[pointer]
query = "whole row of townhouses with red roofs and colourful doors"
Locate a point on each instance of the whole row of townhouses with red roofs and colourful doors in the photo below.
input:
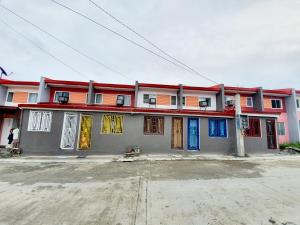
(67, 117)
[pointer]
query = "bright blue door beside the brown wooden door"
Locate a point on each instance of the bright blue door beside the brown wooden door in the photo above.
(193, 133)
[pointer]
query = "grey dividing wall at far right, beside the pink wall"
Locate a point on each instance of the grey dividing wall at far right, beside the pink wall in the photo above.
(293, 123)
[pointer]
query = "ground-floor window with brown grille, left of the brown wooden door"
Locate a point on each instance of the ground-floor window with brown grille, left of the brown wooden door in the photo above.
(154, 125)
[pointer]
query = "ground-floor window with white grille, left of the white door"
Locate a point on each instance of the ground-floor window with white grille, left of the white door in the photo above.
(40, 121)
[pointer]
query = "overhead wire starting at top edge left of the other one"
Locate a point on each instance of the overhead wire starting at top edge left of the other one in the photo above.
(124, 37)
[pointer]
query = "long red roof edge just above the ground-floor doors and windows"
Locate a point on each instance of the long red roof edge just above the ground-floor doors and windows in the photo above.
(127, 109)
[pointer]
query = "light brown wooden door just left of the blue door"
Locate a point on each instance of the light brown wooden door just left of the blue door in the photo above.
(177, 133)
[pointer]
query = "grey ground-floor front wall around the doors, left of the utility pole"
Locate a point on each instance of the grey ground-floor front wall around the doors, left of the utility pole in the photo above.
(49, 142)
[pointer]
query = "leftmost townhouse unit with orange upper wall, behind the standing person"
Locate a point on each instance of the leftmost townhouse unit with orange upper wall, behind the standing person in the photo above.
(13, 93)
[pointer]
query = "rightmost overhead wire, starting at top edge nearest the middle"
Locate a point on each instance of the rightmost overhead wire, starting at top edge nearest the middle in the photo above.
(150, 42)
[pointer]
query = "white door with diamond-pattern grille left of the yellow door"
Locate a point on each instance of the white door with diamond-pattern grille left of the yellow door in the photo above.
(69, 131)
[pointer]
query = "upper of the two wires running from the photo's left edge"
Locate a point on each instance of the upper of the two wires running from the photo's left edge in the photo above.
(63, 42)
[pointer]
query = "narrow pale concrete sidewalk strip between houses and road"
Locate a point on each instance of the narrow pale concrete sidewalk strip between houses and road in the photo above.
(150, 157)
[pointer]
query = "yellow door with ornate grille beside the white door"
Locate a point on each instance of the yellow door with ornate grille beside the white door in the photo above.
(84, 142)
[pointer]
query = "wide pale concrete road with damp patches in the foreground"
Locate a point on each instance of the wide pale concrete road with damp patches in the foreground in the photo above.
(151, 193)
